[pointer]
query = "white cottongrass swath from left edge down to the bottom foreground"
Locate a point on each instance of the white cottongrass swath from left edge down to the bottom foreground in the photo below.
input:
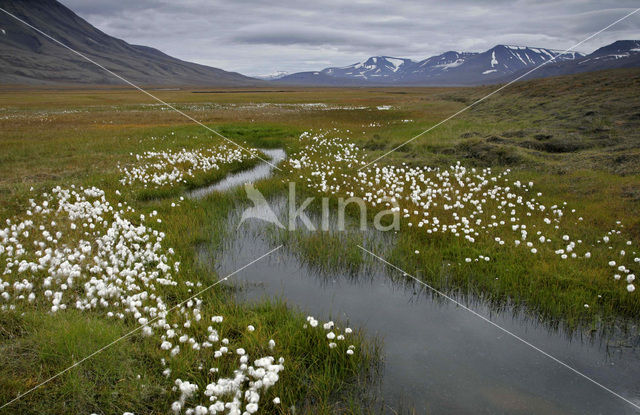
(77, 249)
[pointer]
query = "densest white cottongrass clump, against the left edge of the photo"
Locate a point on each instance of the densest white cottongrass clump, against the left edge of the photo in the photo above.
(76, 249)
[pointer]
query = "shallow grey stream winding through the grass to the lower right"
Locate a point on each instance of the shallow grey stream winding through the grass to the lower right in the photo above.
(438, 357)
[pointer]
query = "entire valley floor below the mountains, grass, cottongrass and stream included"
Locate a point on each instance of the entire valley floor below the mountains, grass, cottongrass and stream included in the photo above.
(524, 209)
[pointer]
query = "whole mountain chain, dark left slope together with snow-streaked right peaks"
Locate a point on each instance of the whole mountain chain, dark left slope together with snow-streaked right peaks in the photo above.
(27, 57)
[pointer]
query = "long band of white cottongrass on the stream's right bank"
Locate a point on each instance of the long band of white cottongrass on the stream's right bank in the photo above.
(466, 203)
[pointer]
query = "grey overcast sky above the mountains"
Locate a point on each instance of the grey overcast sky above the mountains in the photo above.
(260, 37)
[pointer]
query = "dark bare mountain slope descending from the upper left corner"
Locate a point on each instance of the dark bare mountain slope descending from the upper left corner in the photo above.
(28, 57)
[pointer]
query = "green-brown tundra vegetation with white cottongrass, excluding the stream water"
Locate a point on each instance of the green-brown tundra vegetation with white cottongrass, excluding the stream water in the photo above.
(530, 198)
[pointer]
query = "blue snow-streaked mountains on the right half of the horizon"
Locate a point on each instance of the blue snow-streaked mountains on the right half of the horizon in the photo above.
(501, 63)
